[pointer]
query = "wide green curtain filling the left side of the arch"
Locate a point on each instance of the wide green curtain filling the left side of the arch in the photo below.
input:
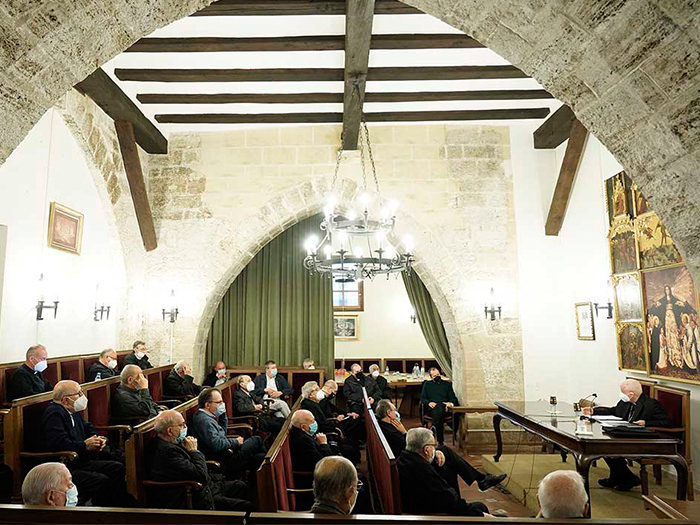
(275, 309)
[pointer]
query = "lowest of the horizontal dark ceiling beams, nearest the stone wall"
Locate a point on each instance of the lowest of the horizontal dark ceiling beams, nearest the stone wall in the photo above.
(391, 116)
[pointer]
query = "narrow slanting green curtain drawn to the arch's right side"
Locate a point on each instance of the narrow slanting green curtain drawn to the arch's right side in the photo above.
(429, 320)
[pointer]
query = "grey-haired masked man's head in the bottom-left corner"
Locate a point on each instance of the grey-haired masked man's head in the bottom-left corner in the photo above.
(49, 484)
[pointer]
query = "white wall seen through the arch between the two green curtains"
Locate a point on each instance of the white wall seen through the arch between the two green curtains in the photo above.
(386, 329)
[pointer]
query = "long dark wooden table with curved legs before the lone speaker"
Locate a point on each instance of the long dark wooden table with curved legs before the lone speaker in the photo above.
(534, 416)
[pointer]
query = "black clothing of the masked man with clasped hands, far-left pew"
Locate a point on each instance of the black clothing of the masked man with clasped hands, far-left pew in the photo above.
(96, 474)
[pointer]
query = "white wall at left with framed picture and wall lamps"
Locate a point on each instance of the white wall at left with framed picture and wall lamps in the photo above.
(48, 166)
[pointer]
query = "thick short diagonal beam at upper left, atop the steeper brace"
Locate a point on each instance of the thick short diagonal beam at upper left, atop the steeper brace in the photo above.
(113, 101)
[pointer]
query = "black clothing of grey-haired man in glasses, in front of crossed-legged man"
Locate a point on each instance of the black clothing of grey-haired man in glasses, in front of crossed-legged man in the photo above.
(424, 491)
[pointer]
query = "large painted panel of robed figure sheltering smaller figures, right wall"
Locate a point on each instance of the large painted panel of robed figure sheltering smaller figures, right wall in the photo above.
(670, 302)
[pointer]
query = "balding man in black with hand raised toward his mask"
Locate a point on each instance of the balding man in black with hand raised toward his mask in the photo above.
(173, 456)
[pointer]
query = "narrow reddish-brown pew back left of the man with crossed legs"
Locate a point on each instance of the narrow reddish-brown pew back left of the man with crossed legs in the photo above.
(383, 472)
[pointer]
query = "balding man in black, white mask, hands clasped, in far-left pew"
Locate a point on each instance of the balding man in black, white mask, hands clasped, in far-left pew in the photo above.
(98, 477)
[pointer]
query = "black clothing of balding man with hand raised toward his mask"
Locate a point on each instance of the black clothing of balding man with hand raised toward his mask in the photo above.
(172, 462)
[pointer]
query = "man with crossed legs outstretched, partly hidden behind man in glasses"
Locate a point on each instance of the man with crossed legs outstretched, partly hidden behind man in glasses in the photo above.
(449, 464)
